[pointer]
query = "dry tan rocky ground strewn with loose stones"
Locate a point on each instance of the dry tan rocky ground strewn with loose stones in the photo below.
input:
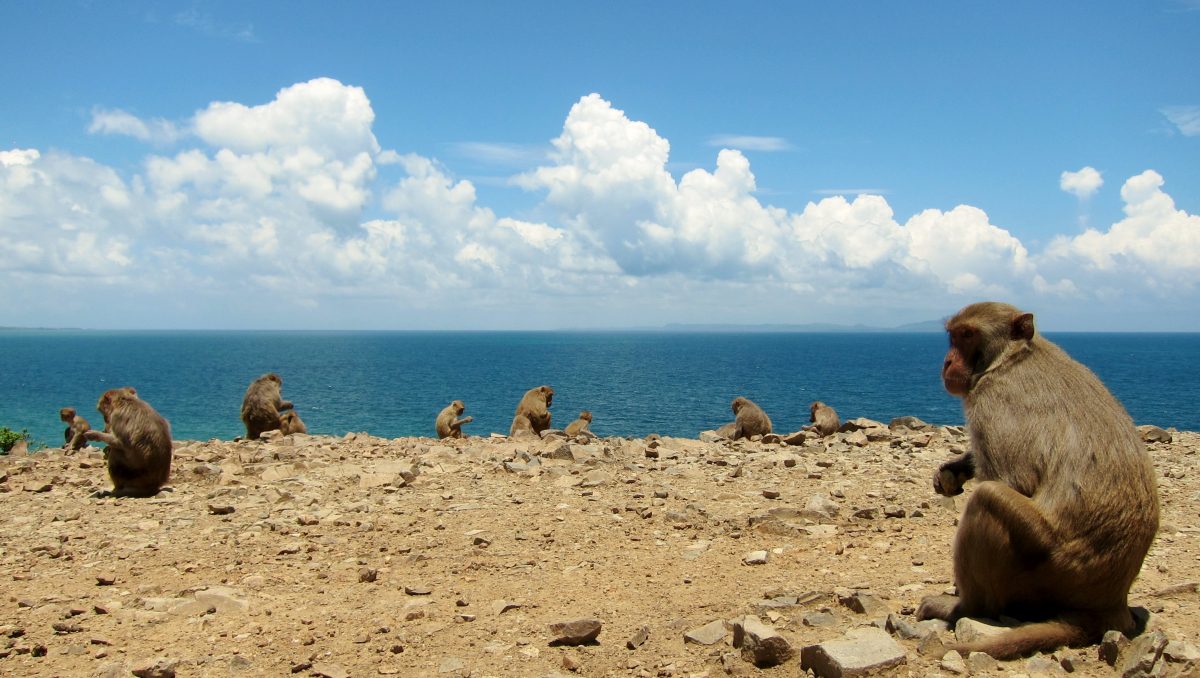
(361, 556)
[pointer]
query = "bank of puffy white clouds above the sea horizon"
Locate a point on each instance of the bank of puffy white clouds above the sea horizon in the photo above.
(274, 215)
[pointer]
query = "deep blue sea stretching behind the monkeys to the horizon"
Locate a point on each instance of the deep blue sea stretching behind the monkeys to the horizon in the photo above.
(394, 385)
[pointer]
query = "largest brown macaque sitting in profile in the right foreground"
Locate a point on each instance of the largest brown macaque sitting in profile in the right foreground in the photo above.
(1066, 506)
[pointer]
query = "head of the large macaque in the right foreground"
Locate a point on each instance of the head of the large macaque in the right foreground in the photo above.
(982, 335)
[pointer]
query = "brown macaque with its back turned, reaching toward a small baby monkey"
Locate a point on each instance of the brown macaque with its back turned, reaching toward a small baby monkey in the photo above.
(139, 441)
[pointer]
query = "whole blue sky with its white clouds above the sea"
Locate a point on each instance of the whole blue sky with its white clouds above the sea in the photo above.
(568, 165)
